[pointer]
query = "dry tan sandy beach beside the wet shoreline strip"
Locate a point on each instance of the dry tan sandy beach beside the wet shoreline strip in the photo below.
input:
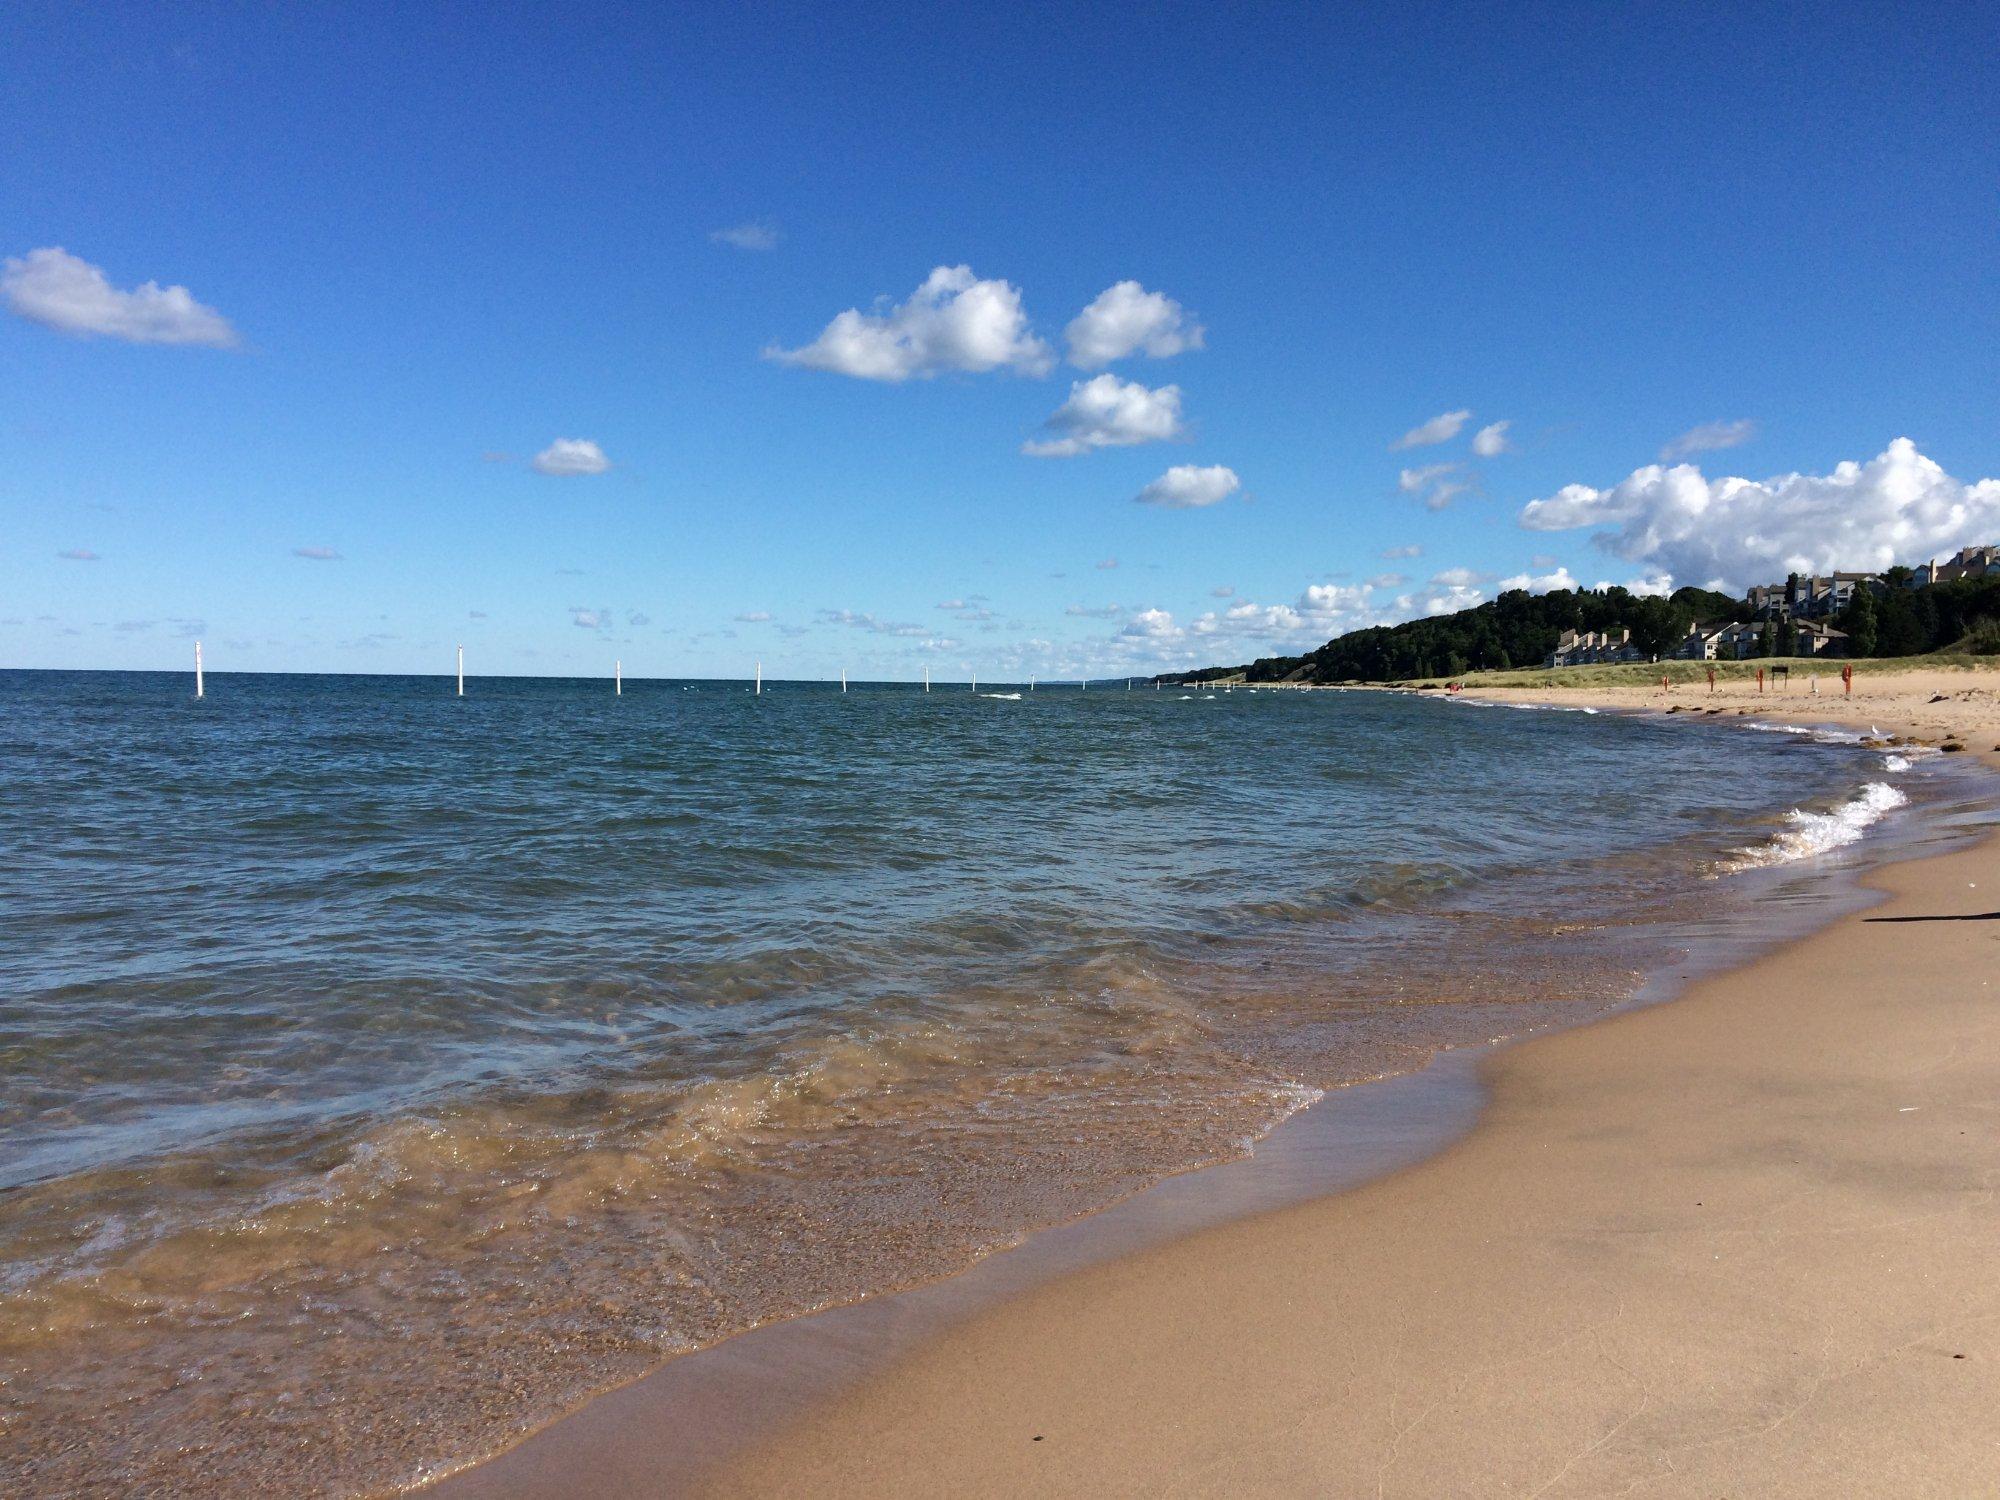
(1733, 1245)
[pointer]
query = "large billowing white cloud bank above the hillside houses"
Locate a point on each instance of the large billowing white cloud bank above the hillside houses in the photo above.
(1899, 507)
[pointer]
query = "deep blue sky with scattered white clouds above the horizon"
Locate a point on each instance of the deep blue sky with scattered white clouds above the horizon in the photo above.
(1009, 341)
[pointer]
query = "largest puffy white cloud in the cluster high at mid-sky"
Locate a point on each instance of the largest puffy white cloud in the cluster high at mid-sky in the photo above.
(951, 323)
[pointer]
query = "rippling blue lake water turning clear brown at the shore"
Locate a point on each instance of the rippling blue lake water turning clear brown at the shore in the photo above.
(387, 1071)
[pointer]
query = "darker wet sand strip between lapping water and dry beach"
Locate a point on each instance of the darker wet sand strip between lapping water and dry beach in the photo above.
(663, 1431)
